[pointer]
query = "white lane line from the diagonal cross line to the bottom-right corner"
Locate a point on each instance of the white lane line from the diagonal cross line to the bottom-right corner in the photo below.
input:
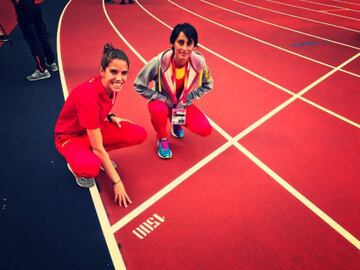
(305, 201)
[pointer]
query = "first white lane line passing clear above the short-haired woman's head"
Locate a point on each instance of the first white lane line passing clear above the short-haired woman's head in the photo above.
(257, 39)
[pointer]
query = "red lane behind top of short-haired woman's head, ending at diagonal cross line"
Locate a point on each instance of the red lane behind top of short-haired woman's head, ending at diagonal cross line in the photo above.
(246, 52)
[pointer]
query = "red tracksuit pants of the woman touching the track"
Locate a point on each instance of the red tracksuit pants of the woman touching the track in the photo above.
(77, 150)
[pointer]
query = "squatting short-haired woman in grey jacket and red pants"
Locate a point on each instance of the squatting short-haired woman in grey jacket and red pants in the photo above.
(180, 77)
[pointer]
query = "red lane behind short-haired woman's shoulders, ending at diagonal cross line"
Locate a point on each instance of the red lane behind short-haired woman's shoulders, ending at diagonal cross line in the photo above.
(246, 97)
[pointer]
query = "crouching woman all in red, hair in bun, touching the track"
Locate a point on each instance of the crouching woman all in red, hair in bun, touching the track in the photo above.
(86, 129)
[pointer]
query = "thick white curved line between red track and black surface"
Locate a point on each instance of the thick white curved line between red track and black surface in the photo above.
(109, 237)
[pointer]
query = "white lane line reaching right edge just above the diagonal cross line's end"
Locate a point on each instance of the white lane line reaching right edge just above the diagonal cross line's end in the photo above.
(279, 26)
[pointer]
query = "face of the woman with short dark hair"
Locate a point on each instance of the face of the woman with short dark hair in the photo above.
(183, 48)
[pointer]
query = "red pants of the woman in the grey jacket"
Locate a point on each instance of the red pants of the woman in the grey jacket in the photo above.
(195, 120)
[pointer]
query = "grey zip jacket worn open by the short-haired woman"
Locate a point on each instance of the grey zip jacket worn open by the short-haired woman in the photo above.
(159, 70)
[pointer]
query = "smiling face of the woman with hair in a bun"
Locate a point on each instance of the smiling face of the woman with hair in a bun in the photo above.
(114, 76)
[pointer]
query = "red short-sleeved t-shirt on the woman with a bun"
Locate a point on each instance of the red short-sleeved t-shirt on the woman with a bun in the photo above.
(86, 108)
